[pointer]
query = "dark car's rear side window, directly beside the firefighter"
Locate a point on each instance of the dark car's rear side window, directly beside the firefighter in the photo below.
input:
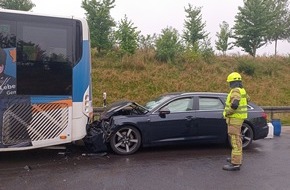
(207, 103)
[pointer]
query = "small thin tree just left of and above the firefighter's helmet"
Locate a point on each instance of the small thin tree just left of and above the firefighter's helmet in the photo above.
(222, 43)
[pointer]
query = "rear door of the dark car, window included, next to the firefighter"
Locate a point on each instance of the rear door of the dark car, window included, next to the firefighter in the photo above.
(209, 119)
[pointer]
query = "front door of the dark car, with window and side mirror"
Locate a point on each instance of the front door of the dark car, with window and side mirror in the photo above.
(175, 125)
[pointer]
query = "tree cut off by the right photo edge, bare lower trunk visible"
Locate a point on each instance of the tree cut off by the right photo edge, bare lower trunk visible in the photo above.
(280, 24)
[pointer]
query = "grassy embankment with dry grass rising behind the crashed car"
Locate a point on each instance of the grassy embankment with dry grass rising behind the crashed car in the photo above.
(141, 77)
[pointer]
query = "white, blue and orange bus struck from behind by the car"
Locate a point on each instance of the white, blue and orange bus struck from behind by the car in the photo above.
(45, 80)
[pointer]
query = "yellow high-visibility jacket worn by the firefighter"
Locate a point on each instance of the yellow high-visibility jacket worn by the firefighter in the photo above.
(241, 112)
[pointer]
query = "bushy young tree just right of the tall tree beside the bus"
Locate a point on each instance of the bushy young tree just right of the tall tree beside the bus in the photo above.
(127, 36)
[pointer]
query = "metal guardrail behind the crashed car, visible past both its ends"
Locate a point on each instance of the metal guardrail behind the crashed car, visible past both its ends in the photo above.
(268, 109)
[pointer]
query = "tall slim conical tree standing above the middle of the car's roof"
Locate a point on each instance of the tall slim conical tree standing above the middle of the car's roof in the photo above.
(194, 27)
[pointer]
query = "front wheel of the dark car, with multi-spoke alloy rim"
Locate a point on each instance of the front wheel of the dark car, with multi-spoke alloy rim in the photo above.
(126, 140)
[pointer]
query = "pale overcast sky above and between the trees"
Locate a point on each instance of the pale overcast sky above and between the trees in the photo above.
(151, 16)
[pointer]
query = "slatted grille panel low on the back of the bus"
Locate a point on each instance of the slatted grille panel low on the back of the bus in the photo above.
(25, 122)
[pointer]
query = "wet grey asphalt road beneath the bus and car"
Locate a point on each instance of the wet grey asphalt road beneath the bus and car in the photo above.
(266, 166)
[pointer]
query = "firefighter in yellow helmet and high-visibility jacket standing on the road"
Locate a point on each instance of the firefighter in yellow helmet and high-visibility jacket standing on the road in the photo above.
(235, 113)
